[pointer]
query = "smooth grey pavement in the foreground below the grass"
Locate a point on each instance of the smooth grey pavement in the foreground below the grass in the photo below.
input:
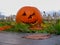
(7, 38)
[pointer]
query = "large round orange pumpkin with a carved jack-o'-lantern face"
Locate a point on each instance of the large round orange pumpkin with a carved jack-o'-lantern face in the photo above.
(29, 15)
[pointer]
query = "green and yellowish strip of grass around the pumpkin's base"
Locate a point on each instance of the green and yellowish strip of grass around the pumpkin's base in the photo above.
(51, 28)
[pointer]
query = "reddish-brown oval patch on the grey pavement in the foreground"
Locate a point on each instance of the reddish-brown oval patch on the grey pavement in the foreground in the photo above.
(37, 36)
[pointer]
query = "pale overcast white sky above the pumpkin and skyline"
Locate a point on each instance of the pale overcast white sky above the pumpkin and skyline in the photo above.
(9, 7)
